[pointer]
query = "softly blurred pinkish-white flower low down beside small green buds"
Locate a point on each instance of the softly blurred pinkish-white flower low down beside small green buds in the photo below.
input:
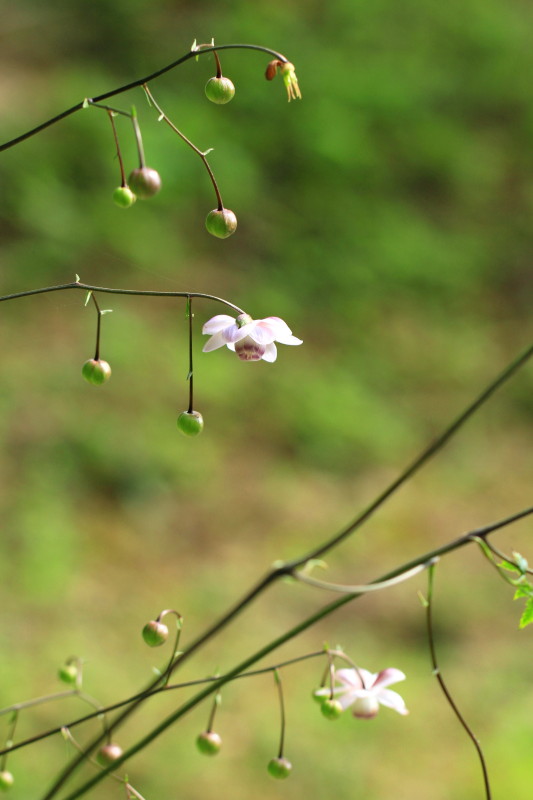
(366, 691)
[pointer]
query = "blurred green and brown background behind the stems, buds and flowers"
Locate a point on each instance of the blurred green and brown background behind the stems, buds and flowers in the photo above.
(387, 218)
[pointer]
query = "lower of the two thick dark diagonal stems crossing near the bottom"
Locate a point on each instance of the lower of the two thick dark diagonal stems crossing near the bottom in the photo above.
(264, 651)
